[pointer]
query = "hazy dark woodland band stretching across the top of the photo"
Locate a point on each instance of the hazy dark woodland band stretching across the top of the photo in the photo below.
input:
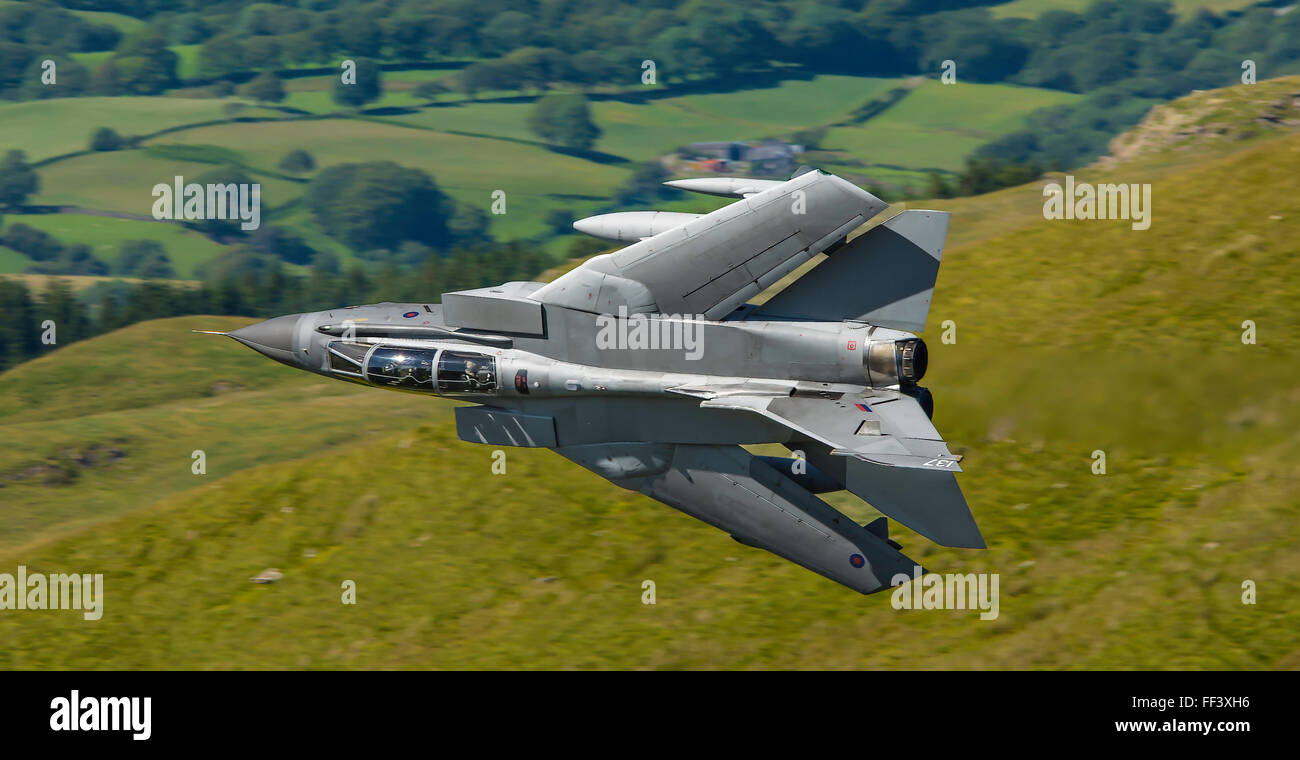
(544, 44)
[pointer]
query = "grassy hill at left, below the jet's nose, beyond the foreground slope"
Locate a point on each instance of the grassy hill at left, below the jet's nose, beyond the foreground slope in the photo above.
(109, 425)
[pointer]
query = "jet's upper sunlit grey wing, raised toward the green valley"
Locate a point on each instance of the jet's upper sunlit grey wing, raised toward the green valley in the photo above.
(714, 264)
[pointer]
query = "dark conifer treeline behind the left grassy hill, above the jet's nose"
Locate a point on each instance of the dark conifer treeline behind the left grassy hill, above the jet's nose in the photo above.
(258, 293)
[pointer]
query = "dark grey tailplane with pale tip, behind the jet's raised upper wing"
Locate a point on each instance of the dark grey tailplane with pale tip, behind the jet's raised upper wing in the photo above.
(885, 277)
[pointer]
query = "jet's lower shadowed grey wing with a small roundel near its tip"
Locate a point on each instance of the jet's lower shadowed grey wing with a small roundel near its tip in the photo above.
(759, 506)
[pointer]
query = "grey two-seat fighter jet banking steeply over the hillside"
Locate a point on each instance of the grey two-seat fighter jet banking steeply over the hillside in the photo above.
(652, 368)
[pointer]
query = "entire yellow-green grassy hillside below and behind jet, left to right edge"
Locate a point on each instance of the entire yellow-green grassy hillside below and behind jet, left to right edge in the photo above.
(1072, 337)
